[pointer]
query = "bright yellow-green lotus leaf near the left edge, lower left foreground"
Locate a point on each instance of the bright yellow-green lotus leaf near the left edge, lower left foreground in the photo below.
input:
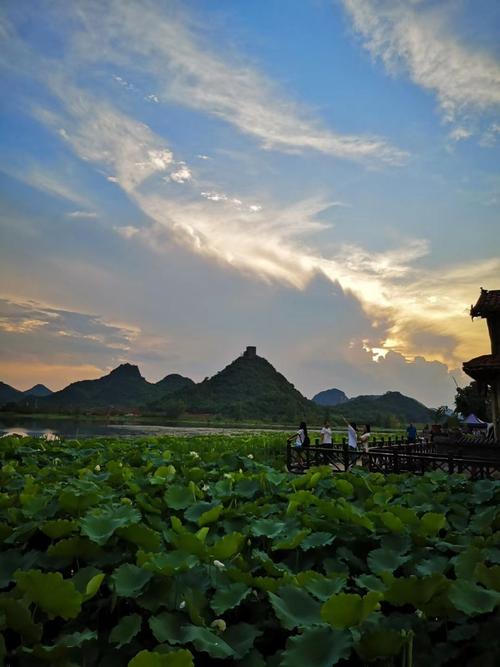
(53, 594)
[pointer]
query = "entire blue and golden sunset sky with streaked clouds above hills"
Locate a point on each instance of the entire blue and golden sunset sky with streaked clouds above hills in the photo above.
(319, 178)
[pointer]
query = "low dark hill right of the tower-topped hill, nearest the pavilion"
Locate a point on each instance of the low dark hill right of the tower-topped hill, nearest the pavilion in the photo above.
(379, 409)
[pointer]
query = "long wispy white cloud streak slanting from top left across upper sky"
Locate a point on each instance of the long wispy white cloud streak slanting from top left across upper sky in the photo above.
(194, 74)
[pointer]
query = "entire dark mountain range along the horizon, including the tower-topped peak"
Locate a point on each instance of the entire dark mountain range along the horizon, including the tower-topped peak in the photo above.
(249, 388)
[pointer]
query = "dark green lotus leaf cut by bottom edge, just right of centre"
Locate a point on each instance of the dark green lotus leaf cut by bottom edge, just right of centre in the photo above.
(322, 647)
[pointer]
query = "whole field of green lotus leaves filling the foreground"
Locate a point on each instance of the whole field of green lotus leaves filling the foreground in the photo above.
(176, 551)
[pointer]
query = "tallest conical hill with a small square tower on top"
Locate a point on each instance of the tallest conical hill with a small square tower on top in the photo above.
(249, 388)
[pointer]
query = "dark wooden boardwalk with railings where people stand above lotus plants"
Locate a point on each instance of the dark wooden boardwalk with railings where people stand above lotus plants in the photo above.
(396, 456)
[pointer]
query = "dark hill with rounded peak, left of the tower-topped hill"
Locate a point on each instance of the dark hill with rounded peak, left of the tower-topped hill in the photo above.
(124, 387)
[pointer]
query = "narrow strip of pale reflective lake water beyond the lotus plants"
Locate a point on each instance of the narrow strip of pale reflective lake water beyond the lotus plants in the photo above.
(68, 428)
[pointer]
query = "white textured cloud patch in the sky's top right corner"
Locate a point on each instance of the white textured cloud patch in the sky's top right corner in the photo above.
(416, 37)
